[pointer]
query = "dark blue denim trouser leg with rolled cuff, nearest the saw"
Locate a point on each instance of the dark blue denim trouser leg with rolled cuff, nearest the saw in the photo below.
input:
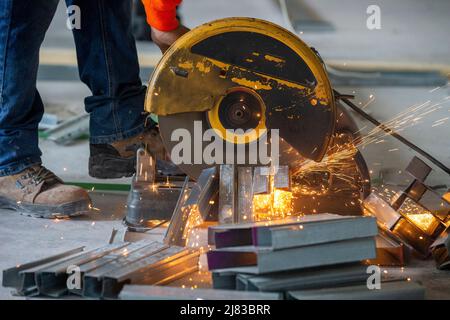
(108, 65)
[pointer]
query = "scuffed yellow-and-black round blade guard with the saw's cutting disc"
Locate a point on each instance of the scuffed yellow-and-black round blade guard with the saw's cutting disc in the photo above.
(201, 69)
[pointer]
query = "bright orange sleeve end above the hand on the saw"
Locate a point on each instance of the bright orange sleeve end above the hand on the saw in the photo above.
(162, 14)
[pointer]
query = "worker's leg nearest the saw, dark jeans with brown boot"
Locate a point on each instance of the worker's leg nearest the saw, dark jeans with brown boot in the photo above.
(108, 64)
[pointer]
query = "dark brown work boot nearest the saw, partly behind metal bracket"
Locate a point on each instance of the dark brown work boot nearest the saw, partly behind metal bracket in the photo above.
(118, 159)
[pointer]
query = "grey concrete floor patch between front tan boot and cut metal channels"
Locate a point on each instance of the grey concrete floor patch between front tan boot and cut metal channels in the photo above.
(25, 239)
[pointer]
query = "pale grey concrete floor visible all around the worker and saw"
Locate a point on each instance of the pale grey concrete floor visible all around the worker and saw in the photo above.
(406, 38)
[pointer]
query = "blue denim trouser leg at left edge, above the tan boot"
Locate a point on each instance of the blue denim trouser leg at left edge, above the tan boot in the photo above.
(23, 24)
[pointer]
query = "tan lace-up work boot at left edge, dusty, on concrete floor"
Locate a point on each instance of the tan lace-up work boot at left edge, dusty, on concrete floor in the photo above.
(38, 192)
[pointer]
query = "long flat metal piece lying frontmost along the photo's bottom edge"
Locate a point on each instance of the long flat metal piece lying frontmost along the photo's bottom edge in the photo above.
(131, 292)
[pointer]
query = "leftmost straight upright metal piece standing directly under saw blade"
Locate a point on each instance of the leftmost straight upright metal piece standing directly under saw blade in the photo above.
(227, 194)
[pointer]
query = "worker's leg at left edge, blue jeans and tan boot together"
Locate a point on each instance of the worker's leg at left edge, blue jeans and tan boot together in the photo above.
(25, 185)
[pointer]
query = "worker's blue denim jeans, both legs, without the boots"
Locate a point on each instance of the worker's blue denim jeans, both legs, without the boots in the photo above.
(107, 63)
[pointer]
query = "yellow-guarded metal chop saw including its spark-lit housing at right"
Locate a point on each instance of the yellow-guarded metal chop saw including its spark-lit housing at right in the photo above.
(238, 74)
